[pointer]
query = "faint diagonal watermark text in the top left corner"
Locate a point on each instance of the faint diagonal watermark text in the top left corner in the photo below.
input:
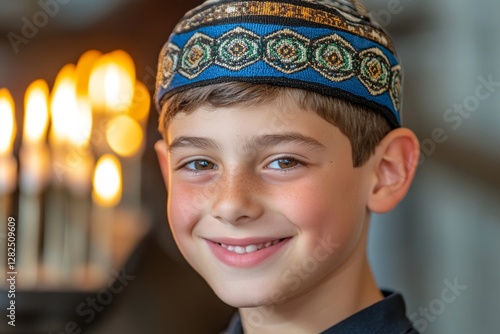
(31, 27)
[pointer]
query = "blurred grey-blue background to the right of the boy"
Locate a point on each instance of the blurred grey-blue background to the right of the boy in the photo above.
(441, 245)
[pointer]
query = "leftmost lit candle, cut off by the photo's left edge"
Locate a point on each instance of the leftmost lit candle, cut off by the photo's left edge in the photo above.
(8, 167)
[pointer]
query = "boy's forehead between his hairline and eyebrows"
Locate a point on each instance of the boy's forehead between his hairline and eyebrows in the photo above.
(262, 125)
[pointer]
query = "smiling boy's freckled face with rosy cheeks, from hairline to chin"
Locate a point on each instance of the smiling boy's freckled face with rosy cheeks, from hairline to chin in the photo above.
(264, 201)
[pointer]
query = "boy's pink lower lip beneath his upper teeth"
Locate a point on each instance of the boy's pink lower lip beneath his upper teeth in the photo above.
(245, 260)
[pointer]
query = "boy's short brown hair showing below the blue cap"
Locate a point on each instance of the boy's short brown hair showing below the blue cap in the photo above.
(363, 127)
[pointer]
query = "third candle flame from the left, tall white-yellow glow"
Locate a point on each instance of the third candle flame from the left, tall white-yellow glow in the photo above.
(63, 104)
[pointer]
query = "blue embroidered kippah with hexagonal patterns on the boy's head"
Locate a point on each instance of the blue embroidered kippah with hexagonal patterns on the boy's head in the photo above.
(330, 47)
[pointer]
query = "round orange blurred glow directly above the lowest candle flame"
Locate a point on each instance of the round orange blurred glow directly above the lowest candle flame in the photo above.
(124, 135)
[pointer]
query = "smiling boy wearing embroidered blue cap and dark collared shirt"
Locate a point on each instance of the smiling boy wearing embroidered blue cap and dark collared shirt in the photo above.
(282, 134)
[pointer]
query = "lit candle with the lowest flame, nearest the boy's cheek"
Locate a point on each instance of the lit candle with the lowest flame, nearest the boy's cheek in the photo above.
(106, 194)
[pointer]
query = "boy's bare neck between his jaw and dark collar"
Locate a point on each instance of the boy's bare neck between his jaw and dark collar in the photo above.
(350, 289)
